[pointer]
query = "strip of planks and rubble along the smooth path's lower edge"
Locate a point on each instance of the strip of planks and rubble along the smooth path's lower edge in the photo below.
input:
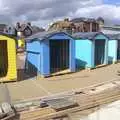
(64, 104)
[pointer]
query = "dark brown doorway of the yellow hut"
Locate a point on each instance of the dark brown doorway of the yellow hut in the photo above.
(3, 58)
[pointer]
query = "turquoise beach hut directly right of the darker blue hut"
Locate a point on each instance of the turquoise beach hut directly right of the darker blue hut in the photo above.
(91, 49)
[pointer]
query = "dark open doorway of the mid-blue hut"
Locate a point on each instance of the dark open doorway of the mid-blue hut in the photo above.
(59, 55)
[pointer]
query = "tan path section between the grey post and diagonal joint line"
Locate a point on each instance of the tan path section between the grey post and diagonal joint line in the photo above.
(24, 90)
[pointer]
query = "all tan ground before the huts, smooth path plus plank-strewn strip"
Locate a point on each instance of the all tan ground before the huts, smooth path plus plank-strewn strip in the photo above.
(65, 97)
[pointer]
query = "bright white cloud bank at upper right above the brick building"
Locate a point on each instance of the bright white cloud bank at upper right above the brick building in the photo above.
(108, 12)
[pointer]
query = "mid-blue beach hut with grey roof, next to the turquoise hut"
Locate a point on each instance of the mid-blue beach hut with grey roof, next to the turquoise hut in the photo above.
(49, 53)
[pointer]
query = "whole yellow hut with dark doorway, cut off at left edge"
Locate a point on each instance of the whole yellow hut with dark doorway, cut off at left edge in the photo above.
(8, 69)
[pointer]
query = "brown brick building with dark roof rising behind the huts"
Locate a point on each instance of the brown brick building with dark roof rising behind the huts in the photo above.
(78, 25)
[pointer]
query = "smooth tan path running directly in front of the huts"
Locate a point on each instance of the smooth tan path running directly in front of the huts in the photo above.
(31, 88)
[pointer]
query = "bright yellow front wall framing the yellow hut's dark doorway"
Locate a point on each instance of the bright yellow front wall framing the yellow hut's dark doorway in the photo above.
(12, 69)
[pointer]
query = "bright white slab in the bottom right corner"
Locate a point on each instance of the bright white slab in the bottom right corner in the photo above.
(107, 112)
